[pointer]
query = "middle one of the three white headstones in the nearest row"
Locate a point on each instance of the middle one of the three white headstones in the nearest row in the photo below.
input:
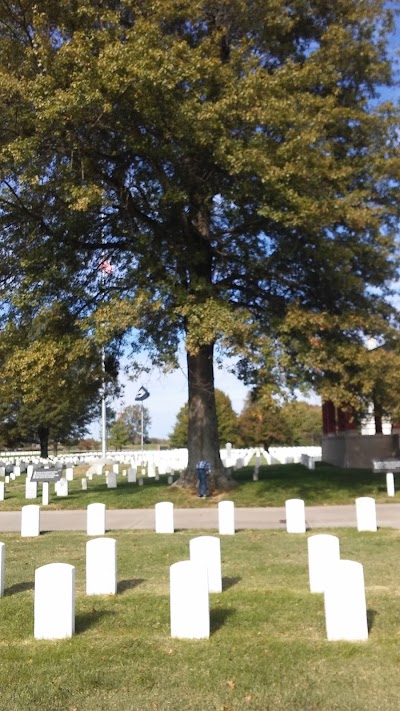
(189, 601)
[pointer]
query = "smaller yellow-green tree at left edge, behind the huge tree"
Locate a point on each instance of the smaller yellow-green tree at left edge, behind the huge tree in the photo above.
(51, 376)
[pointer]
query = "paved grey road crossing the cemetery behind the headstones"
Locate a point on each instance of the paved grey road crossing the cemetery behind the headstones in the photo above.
(317, 517)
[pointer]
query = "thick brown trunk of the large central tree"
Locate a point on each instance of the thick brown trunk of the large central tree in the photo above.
(203, 440)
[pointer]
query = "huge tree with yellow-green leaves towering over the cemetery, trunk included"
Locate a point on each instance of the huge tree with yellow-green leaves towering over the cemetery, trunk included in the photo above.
(229, 156)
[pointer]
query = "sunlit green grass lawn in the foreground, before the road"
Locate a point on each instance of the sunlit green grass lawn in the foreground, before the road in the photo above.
(267, 650)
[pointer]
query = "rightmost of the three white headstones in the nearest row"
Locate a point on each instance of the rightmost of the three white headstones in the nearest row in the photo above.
(345, 605)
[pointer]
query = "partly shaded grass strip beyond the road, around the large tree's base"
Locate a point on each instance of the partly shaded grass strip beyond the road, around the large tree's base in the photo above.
(324, 485)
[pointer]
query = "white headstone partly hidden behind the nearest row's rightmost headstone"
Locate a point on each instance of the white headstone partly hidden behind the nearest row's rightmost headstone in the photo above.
(323, 552)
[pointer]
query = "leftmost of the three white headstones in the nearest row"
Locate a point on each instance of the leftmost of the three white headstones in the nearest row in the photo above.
(54, 601)
